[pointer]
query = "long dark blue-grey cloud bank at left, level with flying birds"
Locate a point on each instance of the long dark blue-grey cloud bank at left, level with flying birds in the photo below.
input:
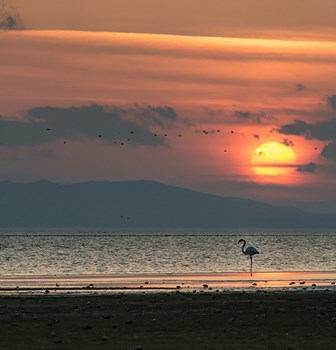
(42, 125)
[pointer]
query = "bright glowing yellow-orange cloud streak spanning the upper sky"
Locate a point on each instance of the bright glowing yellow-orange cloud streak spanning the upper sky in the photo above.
(174, 46)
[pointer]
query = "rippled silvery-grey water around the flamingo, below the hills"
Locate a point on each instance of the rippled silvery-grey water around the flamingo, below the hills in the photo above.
(63, 252)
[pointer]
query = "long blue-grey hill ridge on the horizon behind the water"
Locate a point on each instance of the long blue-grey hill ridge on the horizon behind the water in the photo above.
(139, 204)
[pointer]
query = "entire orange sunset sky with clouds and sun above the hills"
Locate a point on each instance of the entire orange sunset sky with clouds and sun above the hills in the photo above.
(235, 98)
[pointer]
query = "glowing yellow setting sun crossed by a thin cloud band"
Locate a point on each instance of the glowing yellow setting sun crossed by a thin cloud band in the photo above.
(273, 159)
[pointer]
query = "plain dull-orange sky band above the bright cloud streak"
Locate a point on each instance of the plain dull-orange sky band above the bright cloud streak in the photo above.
(261, 18)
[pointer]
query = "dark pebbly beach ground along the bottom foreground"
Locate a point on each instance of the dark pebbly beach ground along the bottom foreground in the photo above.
(169, 321)
